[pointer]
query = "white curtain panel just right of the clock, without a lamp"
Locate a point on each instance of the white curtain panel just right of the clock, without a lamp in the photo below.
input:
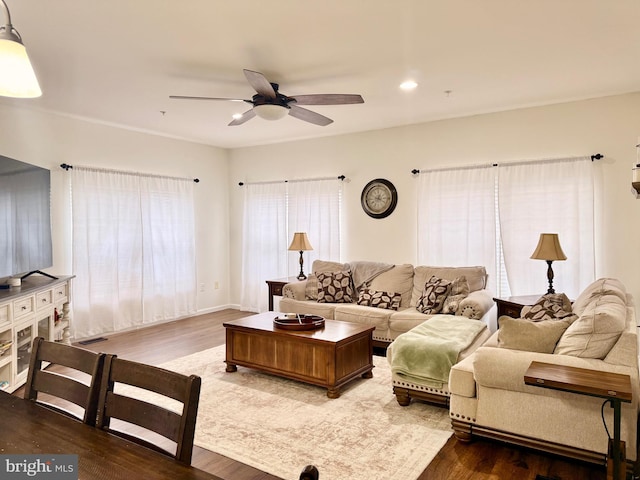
(457, 219)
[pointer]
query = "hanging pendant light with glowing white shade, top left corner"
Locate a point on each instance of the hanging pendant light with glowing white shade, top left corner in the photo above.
(17, 78)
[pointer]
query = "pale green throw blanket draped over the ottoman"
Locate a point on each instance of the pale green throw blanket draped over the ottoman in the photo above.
(428, 351)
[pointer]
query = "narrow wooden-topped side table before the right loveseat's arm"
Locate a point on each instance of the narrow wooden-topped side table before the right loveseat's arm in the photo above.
(613, 387)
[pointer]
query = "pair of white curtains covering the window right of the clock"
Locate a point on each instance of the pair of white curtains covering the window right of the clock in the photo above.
(493, 216)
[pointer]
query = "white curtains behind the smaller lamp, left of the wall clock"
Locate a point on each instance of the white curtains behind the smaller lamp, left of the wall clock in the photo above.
(273, 212)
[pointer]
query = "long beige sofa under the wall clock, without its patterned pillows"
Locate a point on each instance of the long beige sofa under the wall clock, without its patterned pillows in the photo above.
(406, 280)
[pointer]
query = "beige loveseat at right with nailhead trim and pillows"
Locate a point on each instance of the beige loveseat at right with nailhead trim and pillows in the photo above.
(489, 397)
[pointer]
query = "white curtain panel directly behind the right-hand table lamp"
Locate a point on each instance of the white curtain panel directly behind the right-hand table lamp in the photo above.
(548, 197)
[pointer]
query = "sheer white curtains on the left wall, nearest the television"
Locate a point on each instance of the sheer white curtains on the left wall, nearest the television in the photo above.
(133, 250)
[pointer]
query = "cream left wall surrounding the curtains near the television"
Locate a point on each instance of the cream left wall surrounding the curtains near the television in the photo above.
(48, 140)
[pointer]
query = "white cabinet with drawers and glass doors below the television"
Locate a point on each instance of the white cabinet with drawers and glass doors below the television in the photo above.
(38, 308)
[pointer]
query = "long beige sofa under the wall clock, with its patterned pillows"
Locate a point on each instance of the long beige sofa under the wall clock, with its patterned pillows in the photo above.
(387, 296)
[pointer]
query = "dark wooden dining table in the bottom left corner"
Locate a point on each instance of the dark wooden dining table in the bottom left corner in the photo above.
(27, 428)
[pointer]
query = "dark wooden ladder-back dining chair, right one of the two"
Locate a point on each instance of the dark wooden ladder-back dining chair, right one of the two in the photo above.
(117, 401)
